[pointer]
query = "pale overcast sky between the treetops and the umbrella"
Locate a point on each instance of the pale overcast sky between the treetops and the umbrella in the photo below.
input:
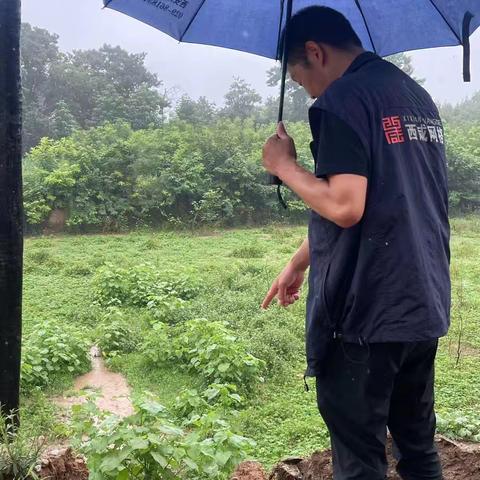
(203, 70)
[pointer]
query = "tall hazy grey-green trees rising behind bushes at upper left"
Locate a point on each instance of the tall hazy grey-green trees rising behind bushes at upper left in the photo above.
(82, 89)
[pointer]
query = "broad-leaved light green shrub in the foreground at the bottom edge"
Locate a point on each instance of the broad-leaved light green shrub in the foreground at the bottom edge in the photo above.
(150, 445)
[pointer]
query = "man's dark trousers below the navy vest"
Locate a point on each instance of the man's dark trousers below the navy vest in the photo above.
(366, 389)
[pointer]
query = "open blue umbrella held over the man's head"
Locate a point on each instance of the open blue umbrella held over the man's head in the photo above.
(384, 26)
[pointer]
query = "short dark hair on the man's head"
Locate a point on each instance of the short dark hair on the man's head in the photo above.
(320, 25)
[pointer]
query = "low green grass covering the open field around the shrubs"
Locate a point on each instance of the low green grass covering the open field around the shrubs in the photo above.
(234, 269)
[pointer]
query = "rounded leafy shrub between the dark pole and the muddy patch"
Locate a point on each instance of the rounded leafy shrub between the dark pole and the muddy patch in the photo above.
(51, 350)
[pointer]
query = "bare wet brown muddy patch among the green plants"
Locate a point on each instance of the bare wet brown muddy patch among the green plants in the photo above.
(112, 388)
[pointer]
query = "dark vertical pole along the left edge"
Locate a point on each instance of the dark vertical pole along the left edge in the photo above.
(11, 209)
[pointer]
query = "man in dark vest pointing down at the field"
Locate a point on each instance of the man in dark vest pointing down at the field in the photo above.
(377, 247)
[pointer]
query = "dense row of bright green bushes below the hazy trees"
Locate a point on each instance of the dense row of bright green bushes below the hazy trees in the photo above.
(112, 178)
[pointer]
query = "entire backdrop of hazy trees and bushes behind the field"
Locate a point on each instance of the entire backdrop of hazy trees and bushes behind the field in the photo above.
(107, 152)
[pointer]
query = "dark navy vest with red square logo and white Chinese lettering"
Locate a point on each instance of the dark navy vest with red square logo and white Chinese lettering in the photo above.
(387, 278)
